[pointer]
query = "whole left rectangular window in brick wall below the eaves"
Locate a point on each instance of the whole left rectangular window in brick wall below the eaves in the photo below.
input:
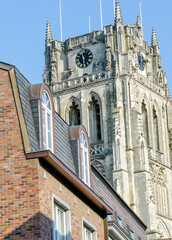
(61, 220)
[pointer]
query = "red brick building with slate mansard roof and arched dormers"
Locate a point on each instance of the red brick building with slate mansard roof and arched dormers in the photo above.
(48, 189)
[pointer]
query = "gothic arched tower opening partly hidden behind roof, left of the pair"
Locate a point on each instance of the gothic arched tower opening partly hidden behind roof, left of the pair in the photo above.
(74, 114)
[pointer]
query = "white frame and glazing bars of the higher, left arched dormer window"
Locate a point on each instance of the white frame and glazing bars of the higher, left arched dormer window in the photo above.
(47, 112)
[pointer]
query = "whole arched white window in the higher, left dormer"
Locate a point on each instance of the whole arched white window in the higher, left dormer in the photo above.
(47, 122)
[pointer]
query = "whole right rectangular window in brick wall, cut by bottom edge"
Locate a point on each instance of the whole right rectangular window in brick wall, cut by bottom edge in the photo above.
(89, 231)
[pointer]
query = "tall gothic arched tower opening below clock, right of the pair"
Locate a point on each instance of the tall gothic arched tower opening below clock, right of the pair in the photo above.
(95, 120)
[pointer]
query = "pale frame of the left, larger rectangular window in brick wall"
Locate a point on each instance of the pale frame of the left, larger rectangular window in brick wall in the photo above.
(56, 201)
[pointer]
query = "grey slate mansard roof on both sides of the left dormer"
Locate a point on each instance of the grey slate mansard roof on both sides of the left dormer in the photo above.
(62, 143)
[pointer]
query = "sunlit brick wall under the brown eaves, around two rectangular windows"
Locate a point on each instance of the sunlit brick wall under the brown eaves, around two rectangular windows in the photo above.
(52, 184)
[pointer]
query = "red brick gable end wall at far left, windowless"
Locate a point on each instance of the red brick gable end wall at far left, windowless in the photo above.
(19, 206)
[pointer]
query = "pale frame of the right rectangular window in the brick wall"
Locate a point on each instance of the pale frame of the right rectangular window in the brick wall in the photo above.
(86, 225)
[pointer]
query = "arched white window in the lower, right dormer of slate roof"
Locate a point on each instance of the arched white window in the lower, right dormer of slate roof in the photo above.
(84, 159)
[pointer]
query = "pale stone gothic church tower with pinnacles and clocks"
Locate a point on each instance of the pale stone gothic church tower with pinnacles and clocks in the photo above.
(113, 83)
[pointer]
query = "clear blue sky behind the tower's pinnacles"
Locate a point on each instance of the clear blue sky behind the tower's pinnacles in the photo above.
(23, 27)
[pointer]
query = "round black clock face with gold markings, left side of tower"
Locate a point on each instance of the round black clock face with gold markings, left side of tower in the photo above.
(84, 58)
